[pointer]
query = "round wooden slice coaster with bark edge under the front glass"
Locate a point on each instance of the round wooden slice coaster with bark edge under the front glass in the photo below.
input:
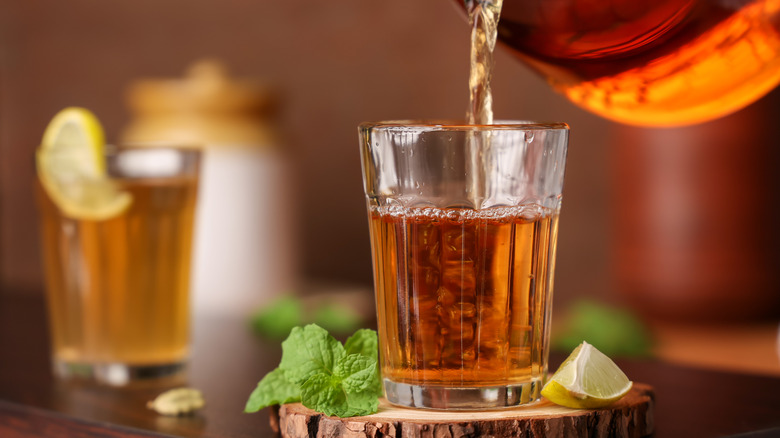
(631, 416)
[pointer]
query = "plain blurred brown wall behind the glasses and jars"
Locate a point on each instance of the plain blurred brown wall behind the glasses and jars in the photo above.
(337, 63)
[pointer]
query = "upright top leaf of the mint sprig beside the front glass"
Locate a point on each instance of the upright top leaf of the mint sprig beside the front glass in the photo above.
(308, 351)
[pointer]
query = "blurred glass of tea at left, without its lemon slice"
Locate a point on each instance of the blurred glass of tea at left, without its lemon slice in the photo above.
(118, 288)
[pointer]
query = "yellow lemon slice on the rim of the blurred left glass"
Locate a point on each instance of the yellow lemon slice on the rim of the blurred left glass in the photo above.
(72, 167)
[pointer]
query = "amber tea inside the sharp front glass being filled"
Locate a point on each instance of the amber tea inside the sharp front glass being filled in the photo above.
(460, 291)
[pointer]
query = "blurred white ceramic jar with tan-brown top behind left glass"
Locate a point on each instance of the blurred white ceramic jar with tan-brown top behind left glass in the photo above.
(244, 246)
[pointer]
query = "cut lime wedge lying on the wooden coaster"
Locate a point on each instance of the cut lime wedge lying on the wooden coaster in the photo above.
(587, 379)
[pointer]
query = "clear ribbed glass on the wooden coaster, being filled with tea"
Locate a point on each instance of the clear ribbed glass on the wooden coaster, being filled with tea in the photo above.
(463, 223)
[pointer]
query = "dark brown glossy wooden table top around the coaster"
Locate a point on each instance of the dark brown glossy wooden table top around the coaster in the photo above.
(228, 360)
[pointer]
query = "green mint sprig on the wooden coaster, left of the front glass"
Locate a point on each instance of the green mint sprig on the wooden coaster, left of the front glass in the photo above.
(324, 375)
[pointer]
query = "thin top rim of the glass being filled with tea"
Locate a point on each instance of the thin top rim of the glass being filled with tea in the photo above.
(461, 125)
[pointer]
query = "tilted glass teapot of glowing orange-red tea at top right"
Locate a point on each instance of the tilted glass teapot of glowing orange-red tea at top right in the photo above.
(649, 62)
